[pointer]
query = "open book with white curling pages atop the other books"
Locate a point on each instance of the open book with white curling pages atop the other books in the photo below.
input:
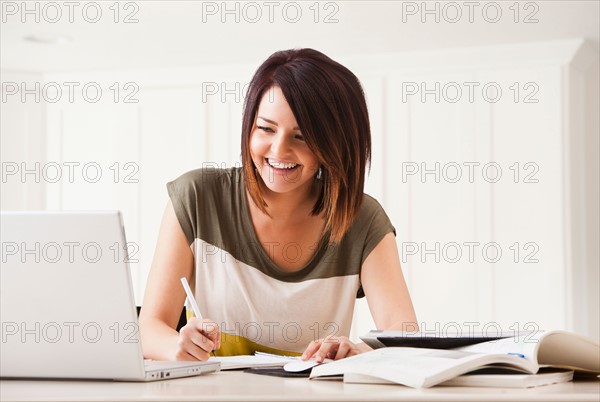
(425, 367)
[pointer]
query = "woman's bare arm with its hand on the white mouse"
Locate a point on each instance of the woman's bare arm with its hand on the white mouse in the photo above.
(388, 299)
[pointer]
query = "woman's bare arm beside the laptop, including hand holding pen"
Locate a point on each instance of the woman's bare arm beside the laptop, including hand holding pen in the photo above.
(164, 298)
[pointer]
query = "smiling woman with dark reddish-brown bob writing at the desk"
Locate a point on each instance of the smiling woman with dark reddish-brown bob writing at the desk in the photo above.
(278, 250)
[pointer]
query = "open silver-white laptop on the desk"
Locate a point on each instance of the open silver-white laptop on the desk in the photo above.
(67, 305)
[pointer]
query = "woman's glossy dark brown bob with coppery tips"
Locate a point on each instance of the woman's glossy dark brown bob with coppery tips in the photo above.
(329, 105)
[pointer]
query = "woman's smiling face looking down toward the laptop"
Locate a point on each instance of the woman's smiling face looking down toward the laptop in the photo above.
(277, 146)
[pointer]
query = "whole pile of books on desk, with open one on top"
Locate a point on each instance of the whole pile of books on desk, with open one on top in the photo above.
(423, 360)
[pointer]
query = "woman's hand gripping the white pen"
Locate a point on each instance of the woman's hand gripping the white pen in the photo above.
(197, 339)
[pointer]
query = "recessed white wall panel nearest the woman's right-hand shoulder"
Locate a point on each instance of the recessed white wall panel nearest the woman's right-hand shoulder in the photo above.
(440, 135)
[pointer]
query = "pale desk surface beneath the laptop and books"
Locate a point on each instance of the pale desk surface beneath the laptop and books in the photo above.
(240, 386)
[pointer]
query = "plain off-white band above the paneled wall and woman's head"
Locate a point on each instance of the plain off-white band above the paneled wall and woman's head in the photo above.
(165, 34)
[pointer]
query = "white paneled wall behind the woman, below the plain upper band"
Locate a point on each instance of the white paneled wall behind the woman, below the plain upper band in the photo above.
(180, 123)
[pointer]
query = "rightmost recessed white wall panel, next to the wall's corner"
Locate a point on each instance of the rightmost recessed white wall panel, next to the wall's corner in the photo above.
(524, 215)
